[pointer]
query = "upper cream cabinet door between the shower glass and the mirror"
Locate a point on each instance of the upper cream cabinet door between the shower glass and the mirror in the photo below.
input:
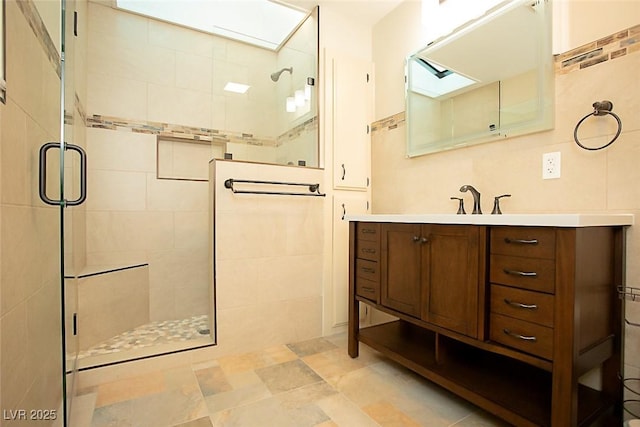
(351, 116)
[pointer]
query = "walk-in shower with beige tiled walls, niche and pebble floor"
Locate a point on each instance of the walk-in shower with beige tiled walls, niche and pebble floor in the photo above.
(143, 282)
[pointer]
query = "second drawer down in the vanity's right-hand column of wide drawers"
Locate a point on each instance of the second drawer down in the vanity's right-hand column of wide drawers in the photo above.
(528, 273)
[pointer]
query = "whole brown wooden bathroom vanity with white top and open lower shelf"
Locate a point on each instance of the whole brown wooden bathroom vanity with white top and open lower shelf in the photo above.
(506, 311)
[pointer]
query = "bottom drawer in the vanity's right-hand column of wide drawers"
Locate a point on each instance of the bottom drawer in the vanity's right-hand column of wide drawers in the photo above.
(525, 336)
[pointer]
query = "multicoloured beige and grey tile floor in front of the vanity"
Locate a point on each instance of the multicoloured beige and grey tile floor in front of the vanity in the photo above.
(311, 383)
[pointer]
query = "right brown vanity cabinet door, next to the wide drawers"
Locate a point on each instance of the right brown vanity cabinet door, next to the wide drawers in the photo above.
(450, 260)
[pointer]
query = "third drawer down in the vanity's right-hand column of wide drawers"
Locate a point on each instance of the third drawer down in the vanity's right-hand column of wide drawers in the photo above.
(533, 307)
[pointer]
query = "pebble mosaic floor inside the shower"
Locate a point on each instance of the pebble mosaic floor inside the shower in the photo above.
(151, 334)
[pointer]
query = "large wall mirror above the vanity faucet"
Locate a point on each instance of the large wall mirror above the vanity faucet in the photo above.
(490, 79)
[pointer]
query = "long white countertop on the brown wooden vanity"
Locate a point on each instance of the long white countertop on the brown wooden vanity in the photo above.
(542, 220)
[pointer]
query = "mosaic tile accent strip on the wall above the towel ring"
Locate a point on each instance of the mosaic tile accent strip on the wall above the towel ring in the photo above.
(608, 48)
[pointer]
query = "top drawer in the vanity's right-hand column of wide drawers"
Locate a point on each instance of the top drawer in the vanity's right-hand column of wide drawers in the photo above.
(534, 242)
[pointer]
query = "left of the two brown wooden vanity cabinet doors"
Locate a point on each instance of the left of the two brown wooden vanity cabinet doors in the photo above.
(400, 272)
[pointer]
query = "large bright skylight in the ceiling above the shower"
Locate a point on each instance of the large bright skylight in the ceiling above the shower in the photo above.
(262, 23)
